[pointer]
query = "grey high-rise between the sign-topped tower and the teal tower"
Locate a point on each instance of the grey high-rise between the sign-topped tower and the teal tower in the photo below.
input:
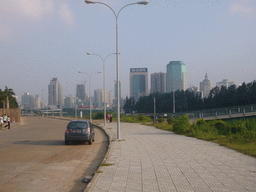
(158, 82)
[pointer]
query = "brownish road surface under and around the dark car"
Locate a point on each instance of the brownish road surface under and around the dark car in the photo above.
(33, 157)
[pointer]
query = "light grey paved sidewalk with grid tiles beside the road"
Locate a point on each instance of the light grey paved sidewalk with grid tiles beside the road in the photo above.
(149, 159)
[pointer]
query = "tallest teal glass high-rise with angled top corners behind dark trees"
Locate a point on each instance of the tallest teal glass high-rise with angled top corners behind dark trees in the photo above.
(176, 76)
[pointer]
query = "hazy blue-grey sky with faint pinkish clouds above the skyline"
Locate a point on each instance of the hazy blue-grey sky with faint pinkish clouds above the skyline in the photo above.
(45, 39)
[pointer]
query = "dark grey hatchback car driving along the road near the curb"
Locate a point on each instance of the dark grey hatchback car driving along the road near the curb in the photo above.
(79, 131)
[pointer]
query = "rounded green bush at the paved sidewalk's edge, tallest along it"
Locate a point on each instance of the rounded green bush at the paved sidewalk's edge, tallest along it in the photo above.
(182, 125)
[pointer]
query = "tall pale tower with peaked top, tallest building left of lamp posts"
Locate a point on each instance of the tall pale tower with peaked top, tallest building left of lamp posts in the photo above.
(55, 93)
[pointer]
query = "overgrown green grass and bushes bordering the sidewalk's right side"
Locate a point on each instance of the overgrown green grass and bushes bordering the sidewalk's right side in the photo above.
(238, 135)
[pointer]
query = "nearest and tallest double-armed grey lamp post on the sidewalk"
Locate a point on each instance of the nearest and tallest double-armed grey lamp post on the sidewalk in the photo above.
(117, 60)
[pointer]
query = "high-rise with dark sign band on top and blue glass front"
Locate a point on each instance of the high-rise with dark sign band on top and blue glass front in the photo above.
(138, 82)
